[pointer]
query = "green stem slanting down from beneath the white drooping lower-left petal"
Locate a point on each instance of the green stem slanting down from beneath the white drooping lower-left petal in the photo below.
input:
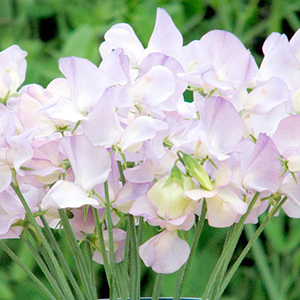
(77, 254)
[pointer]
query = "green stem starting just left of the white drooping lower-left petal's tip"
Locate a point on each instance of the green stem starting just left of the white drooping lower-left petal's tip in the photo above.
(55, 246)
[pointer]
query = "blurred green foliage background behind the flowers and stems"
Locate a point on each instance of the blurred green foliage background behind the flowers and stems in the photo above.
(50, 29)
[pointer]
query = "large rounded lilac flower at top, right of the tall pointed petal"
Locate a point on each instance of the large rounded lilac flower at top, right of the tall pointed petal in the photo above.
(220, 61)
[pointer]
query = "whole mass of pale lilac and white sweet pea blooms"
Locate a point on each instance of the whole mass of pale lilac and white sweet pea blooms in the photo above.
(127, 123)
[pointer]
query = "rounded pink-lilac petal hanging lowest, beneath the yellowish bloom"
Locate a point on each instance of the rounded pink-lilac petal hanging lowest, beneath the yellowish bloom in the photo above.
(165, 253)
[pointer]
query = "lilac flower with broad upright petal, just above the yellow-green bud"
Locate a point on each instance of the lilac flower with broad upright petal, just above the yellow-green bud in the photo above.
(218, 131)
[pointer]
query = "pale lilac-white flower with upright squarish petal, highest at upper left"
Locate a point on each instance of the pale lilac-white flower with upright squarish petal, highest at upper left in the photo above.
(76, 95)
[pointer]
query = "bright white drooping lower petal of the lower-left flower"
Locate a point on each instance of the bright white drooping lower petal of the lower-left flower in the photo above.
(66, 194)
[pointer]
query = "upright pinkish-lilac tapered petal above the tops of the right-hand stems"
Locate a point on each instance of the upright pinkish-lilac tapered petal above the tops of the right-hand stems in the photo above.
(263, 172)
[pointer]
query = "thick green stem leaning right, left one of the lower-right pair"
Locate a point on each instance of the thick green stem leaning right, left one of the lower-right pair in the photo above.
(227, 253)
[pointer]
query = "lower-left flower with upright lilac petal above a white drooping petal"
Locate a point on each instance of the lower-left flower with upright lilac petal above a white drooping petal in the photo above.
(90, 165)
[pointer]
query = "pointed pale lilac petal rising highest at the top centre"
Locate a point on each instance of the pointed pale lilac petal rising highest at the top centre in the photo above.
(166, 38)
